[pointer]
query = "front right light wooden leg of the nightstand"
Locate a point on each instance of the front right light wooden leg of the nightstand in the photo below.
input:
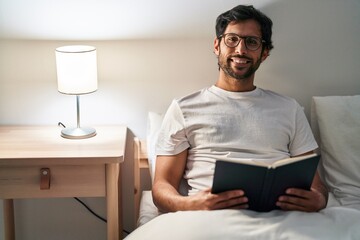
(113, 199)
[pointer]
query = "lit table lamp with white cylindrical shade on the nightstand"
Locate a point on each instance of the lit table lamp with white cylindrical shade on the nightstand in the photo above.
(76, 75)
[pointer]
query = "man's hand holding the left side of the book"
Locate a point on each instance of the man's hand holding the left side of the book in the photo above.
(205, 200)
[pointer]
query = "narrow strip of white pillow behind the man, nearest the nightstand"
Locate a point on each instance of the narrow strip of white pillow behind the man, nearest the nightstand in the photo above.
(153, 127)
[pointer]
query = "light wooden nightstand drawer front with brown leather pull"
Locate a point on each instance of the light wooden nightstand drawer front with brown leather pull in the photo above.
(64, 181)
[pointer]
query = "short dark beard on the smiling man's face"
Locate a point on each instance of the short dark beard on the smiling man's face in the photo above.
(225, 64)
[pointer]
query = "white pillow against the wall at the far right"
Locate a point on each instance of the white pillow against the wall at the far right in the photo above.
(336, 125)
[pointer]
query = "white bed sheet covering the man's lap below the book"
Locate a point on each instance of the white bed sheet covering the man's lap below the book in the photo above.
(332, 223)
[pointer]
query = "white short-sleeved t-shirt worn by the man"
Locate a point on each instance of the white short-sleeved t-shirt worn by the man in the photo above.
(213, 123)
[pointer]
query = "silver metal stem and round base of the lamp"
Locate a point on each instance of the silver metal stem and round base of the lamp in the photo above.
(78, 132)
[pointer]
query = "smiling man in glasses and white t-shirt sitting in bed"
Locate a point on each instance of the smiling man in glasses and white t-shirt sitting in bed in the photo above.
(233, 118)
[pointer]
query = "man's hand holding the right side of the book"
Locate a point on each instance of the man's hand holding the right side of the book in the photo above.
(302, 200)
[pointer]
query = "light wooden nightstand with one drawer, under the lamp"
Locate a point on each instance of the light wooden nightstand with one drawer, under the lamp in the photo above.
(36, 162)
